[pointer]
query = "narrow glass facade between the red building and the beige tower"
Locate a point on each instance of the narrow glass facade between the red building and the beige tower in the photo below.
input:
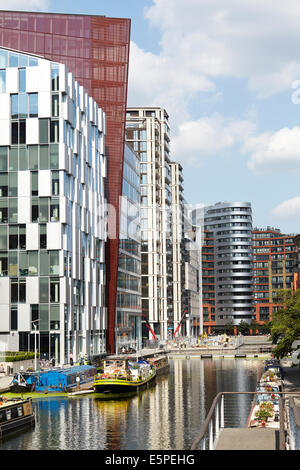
(128, 321)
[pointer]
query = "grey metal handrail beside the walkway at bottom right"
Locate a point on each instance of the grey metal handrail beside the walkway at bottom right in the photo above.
(207, 422)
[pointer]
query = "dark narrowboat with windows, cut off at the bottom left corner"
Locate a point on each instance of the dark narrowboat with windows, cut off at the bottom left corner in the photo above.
(15, 413)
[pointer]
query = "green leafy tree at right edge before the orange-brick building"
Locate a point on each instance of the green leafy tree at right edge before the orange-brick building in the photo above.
(285, 326)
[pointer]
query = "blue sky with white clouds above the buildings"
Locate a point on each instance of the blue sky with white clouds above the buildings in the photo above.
(228, 74)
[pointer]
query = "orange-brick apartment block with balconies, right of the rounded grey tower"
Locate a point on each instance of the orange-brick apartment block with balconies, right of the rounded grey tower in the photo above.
(274, 257)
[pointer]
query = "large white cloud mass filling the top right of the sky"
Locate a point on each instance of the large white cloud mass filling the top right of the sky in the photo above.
(208, 39)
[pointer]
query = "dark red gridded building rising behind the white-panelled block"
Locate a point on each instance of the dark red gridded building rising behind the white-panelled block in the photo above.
(95, 49)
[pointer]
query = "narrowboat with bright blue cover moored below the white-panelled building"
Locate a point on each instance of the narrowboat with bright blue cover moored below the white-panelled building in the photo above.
(54, 380)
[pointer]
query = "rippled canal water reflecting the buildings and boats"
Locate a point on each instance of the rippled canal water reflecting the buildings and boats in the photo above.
(167, 416)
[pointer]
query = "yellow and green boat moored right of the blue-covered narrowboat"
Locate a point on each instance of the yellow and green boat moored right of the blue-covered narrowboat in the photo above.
(122, 375)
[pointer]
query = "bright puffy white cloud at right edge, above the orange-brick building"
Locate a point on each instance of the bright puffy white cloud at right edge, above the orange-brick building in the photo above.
(275, 151)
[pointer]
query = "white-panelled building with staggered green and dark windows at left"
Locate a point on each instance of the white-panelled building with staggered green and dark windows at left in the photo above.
(52, 230)
